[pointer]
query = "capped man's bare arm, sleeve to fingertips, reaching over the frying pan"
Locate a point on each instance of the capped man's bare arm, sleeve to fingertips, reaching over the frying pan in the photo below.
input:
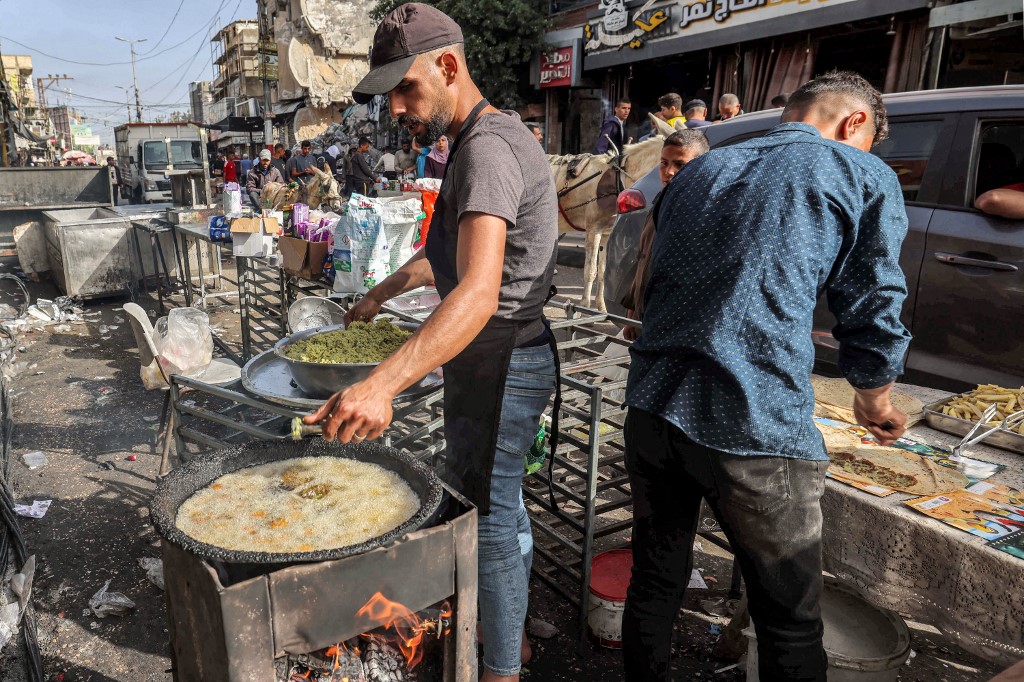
(365, 409)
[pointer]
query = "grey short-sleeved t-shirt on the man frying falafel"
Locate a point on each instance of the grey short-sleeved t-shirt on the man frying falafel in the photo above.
(501, 170)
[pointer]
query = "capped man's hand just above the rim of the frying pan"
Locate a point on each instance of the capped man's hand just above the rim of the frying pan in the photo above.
(359, 413)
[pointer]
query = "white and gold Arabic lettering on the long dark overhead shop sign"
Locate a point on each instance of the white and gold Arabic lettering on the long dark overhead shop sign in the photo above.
(620, 27)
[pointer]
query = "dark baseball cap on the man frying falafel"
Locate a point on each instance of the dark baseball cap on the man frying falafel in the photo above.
(408, 31)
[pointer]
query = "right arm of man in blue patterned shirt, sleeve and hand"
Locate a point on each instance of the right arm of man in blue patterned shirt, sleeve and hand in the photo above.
(866, 293)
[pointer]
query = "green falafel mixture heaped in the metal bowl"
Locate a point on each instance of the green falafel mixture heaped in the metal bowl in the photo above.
(362, 343)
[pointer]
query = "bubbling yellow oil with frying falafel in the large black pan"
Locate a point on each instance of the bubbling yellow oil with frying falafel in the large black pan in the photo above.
(298, 505)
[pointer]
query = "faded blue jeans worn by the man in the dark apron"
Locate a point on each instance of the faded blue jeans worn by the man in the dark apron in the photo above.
(506, 545)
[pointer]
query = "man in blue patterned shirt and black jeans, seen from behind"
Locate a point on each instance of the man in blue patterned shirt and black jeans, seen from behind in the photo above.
(719, 391)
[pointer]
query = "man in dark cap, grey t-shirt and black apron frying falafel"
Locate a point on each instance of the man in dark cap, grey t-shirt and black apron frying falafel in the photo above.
(491, 250)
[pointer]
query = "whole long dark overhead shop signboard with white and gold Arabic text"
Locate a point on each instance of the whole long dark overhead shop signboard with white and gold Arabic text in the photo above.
(666, 30)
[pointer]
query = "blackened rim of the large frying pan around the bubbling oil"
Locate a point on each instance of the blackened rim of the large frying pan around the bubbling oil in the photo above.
(185, 482)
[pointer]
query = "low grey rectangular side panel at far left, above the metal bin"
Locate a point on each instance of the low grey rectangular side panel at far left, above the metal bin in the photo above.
(37, 188)
